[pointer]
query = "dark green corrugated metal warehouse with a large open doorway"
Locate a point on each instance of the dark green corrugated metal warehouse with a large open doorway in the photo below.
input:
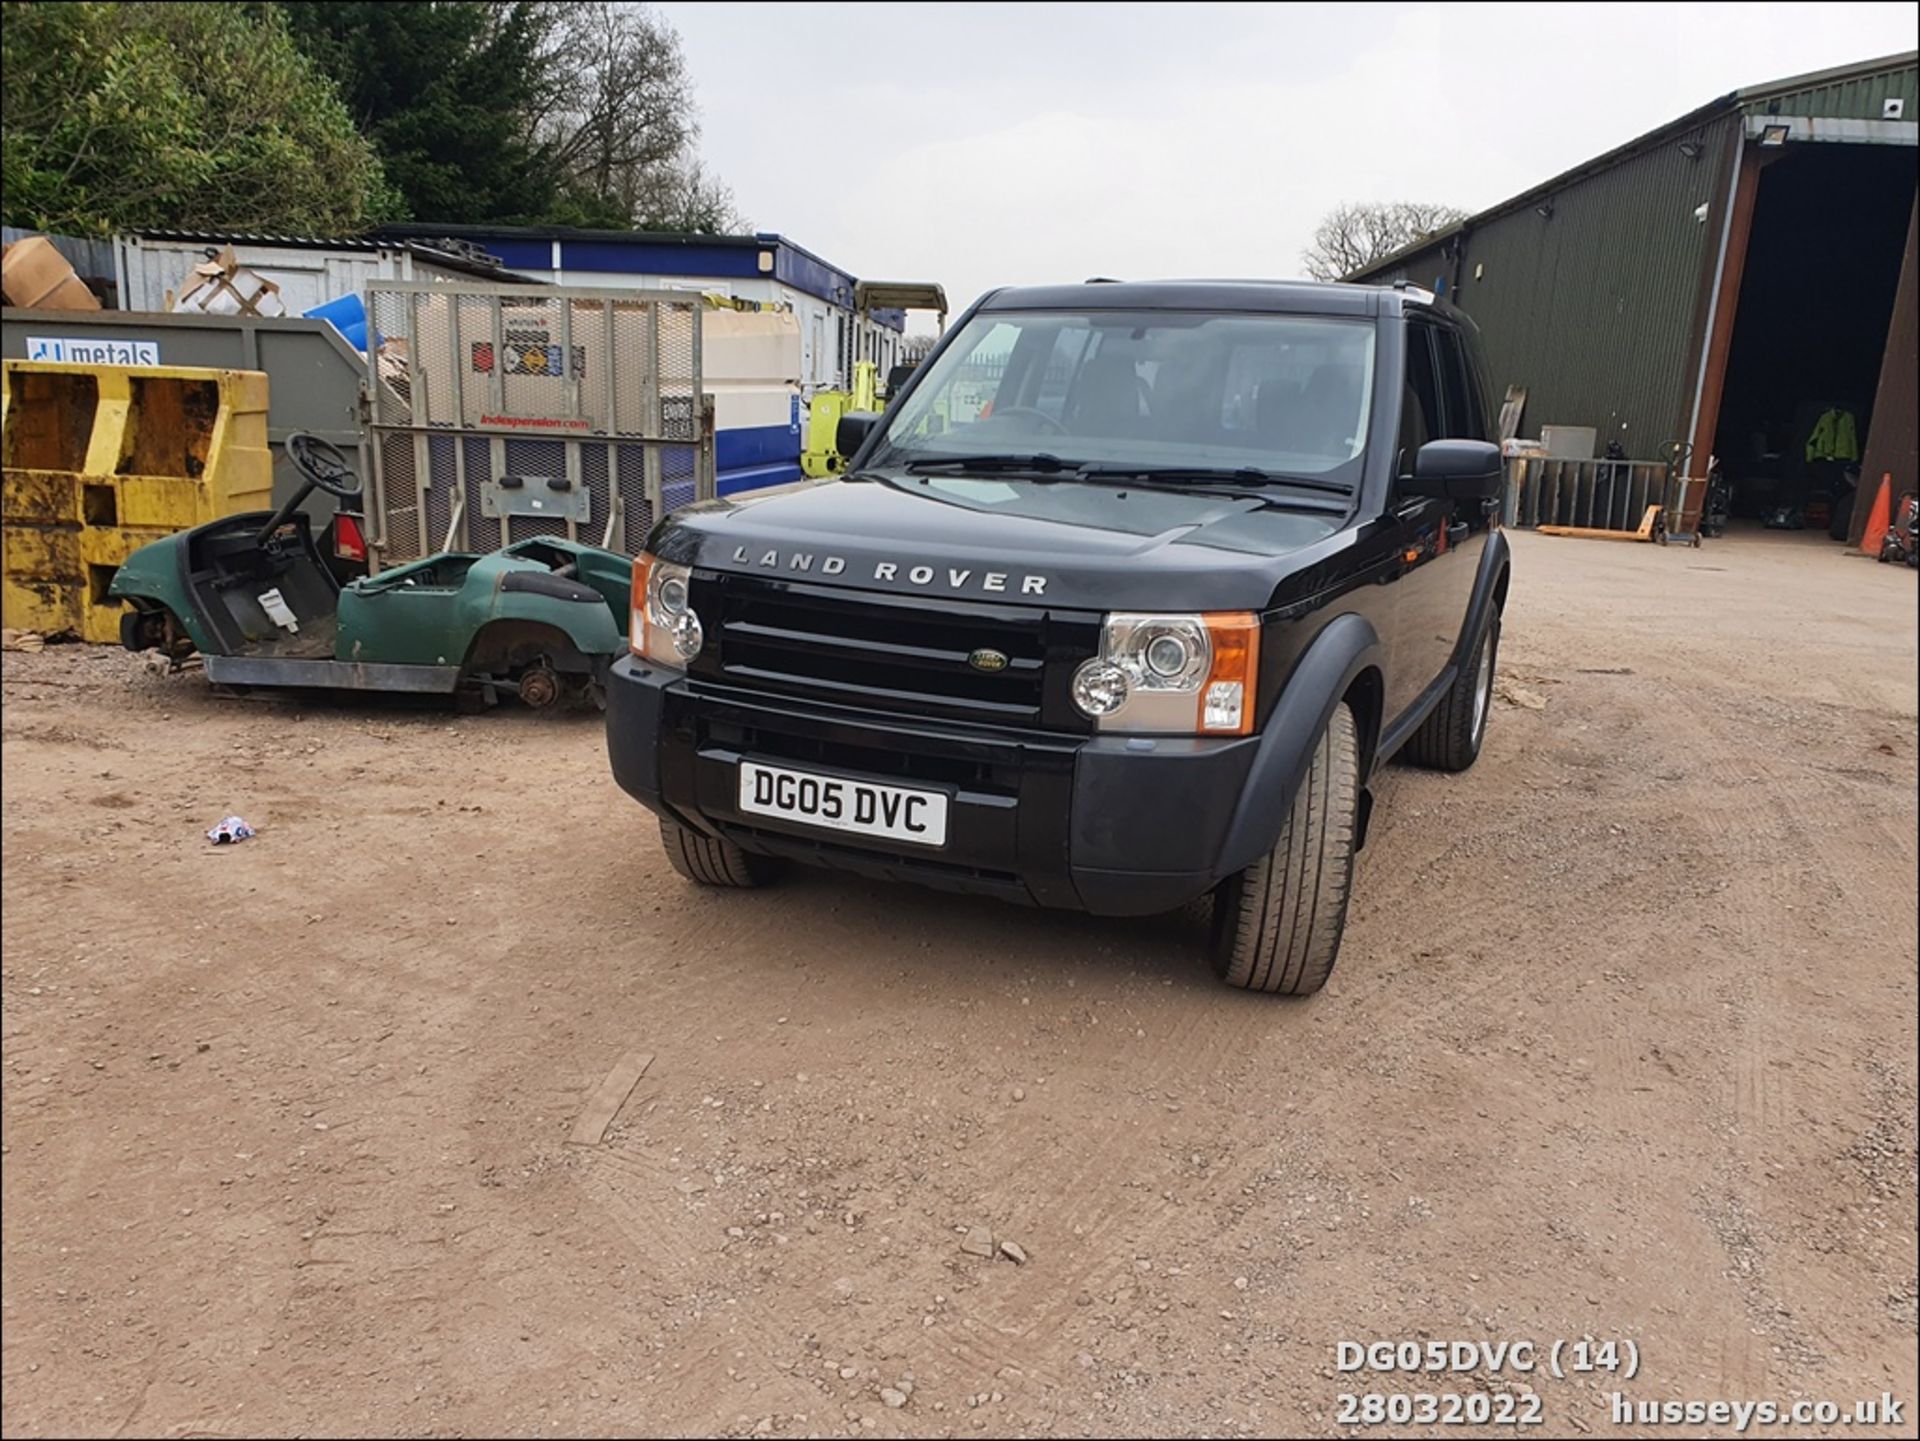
(1733, 279)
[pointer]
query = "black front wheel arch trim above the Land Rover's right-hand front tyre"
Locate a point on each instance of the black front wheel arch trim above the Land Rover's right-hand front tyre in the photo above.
(1318, 684)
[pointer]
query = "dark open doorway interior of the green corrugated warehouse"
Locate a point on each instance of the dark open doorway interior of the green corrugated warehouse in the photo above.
(1812, 331)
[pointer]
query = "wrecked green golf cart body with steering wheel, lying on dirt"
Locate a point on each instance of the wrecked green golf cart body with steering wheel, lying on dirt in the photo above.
(540, 619)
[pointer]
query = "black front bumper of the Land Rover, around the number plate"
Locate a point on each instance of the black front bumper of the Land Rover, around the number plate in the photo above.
(1115, 826)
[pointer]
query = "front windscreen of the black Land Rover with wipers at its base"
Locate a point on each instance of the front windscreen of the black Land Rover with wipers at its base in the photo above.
(1285, 394)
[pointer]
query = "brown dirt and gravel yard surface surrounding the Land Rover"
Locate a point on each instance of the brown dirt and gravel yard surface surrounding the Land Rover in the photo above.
(1621, 1045)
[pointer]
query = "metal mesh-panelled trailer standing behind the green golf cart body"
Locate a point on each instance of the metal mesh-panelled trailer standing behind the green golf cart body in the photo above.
(500, 413)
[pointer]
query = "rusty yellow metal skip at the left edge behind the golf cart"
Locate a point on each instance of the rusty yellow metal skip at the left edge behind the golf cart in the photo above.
(101, 460)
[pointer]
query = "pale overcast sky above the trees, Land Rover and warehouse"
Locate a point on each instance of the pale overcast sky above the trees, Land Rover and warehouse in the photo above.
(990, 145)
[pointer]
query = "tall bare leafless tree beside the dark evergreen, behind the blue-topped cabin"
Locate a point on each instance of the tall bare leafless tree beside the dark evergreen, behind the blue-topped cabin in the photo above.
(621, 124)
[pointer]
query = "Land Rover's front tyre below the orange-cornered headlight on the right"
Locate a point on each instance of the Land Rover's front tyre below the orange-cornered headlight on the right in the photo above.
(1278, 924)
